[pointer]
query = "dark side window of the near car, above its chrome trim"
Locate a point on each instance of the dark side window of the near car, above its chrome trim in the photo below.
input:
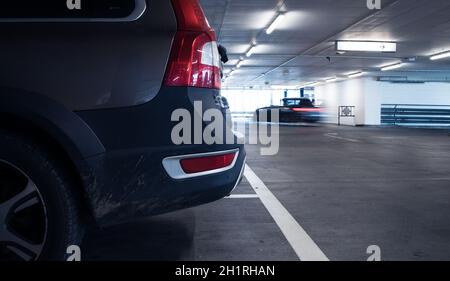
(66, 9)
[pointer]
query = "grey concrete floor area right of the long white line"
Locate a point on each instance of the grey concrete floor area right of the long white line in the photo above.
(370, 186)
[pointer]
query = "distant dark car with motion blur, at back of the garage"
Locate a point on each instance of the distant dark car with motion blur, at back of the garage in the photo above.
(293, 110)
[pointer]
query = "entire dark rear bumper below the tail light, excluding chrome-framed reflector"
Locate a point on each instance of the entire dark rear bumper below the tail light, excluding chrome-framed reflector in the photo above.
(129, 180)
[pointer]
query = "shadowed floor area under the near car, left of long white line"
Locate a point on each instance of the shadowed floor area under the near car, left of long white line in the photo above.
(230, 229)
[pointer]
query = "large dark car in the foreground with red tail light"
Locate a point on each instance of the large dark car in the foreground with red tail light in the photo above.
(86, 100)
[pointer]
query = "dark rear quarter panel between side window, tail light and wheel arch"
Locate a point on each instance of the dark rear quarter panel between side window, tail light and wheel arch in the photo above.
(90, 65)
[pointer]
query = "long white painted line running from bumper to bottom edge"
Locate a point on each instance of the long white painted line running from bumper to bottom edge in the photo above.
(305, 248)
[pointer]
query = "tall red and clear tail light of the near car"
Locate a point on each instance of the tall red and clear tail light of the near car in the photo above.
(195, 59)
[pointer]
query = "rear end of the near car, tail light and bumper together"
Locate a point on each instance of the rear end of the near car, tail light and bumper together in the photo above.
(144, 172)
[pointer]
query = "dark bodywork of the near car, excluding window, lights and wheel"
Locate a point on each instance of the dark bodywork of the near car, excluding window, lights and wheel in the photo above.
(97, 88)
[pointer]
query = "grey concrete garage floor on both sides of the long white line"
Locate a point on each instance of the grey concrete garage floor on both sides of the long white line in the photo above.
(347, 187)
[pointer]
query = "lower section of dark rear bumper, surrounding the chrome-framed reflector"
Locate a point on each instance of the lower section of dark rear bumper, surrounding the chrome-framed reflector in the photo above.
(134, 184)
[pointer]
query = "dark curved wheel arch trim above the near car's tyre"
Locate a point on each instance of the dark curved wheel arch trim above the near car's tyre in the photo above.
(66, 136)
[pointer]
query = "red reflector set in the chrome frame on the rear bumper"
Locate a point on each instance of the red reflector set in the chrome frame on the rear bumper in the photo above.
(208, 163)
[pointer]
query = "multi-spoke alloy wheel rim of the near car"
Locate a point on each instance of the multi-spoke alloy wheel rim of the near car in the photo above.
(23, 215)
